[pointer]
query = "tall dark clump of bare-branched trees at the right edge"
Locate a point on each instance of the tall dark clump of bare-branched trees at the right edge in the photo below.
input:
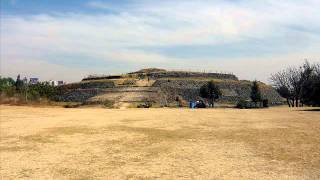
(299, 85)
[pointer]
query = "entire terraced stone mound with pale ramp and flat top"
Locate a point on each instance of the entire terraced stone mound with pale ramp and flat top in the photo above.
(161, 87)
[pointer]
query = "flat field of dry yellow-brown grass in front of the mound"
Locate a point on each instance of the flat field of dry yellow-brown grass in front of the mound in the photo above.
(92, 143)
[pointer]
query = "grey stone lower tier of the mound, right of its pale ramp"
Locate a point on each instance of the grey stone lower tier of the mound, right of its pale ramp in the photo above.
(232, 91)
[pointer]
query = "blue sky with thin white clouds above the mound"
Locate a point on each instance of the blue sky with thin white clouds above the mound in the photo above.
(68, 40)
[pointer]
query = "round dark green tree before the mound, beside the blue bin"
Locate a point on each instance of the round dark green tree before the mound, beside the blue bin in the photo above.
(211, 92)
